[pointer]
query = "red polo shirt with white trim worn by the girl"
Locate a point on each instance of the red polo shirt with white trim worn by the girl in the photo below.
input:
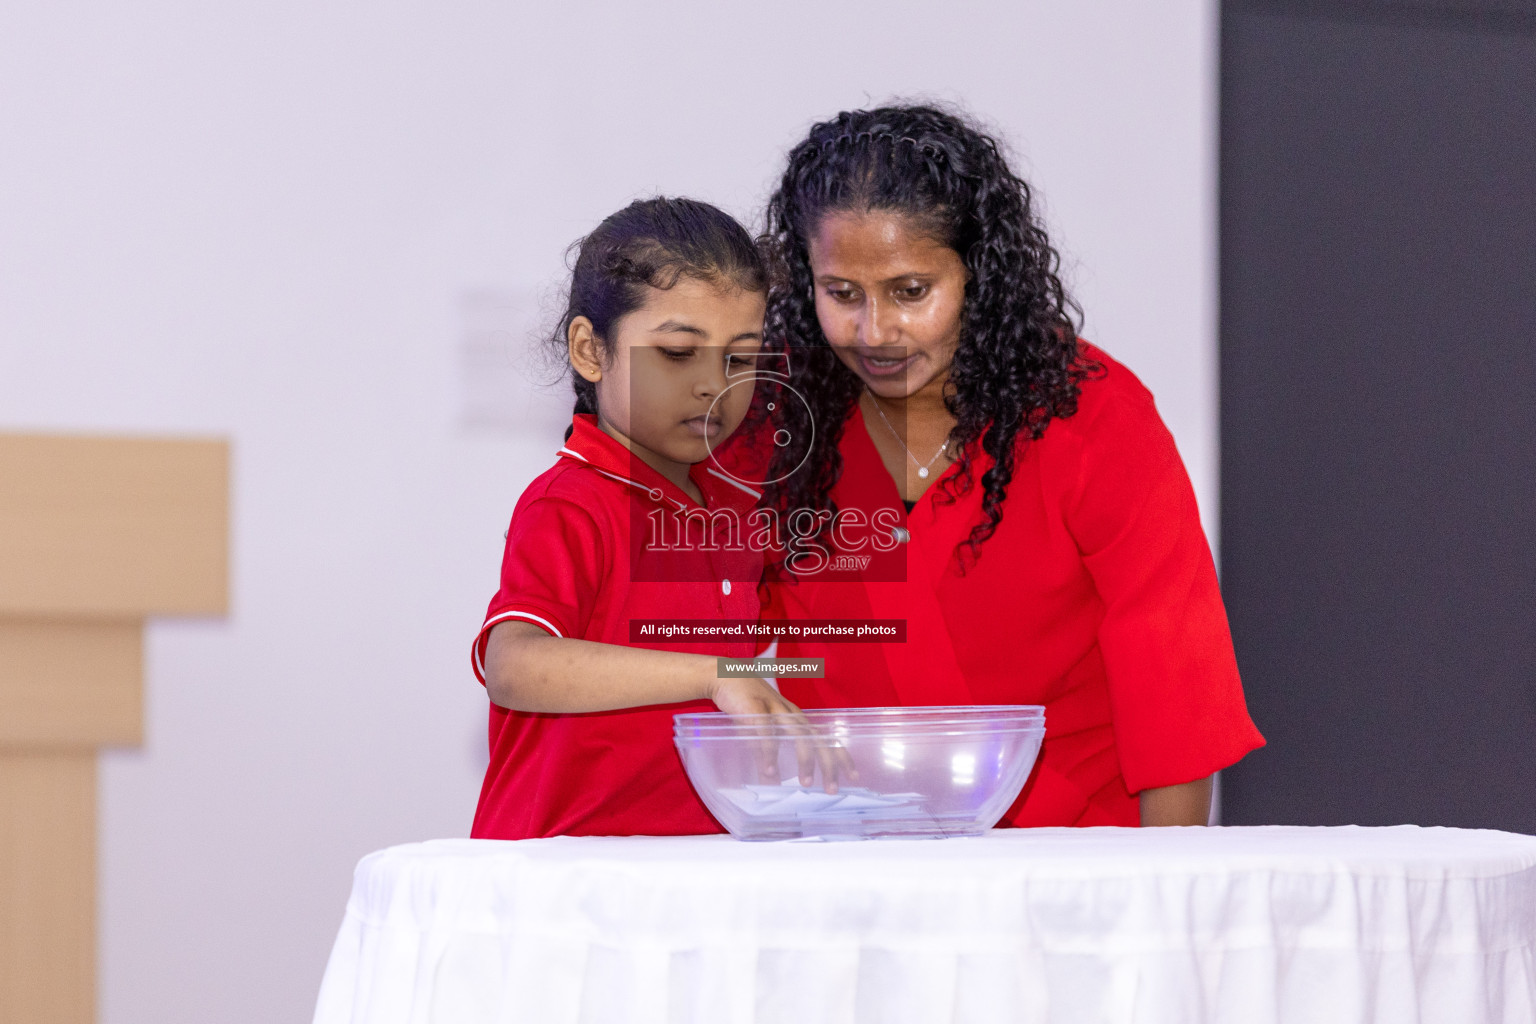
(583, 561)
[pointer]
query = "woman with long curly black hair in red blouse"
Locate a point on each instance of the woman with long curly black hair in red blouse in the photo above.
(972, 467)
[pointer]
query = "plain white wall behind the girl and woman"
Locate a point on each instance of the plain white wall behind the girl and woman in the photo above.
(260, 222)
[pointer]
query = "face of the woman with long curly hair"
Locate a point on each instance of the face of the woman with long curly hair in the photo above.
(889, 300)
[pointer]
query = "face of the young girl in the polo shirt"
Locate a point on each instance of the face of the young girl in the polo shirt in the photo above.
(678, 377)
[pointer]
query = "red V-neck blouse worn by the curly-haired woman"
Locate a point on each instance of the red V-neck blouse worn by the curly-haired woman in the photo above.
(1096, 596)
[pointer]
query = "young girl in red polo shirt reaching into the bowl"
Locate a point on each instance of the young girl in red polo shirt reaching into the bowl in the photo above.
(661, 329)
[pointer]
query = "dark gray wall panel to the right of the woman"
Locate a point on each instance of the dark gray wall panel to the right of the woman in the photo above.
(1379, 292)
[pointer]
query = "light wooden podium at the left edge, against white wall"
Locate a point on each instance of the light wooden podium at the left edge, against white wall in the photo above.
(96, 537)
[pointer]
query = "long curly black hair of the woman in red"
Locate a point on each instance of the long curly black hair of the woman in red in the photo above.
(1019, 363)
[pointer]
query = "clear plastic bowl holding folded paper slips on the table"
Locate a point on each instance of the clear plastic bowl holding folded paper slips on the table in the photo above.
(898, 773)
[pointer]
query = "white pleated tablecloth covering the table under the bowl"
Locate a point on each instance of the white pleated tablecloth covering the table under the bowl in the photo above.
(1147, 927)
